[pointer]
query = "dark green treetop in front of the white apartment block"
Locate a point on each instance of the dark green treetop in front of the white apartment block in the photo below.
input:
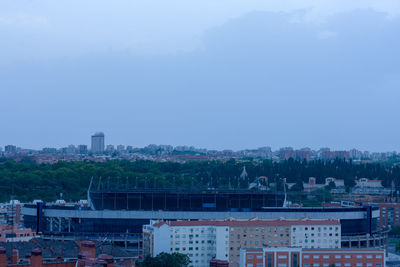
(166, 260)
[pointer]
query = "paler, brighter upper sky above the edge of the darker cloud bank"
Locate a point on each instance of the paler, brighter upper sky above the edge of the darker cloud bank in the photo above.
(75, 28)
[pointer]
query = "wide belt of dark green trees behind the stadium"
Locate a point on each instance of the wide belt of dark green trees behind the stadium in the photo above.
(26, 180)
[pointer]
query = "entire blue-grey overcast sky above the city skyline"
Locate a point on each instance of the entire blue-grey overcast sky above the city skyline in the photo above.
(214, 74)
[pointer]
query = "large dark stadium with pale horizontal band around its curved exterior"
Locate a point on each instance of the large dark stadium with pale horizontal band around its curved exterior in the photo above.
(123, 212)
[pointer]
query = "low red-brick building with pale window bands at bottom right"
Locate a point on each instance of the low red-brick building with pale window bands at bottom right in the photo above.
(306, 257)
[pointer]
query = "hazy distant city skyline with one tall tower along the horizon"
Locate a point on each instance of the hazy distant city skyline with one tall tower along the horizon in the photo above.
(181, 154)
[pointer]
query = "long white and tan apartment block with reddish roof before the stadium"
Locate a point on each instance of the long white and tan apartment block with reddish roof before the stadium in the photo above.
(223, 240)
